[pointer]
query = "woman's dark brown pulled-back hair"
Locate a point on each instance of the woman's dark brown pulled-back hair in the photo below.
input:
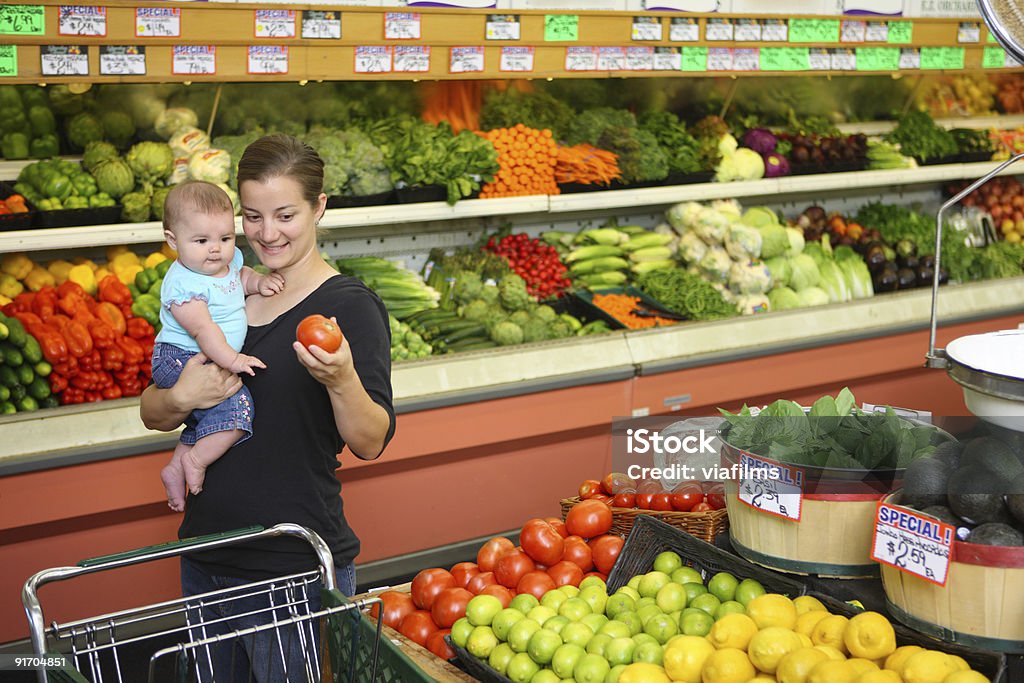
(281, 155)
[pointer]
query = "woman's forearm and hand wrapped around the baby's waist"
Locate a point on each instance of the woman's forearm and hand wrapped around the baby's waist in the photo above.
(201, 386)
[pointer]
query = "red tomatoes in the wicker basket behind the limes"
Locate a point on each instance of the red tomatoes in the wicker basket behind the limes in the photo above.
(621, 491)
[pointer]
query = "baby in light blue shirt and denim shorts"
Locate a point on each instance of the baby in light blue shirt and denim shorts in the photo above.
(203, 310)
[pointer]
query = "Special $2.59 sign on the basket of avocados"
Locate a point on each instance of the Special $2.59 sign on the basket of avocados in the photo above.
(913, 543)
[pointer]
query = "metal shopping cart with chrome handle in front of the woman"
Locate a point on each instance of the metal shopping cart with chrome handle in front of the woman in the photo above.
(190, 639)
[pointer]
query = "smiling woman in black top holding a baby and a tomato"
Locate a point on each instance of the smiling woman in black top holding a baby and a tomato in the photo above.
(309, 404)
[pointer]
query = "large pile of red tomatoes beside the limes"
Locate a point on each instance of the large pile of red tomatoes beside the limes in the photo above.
(551, 553)
